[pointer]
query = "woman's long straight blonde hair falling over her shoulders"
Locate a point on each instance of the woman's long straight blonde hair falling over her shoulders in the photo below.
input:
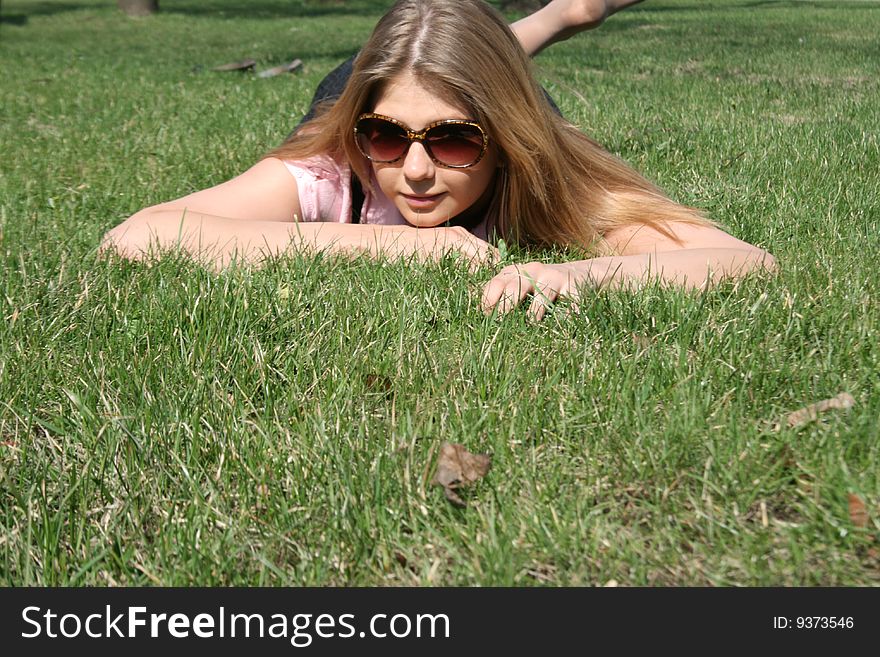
(555, 185)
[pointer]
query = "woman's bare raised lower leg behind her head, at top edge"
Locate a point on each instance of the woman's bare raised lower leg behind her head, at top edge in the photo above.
(562, 19)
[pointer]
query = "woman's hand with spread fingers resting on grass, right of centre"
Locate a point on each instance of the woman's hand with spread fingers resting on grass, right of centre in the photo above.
(547, 282)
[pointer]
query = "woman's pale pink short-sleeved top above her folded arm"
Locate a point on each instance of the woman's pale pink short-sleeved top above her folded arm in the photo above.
(324, 186)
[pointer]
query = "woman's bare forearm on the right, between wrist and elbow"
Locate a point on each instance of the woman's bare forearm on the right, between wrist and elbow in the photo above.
(691, 268)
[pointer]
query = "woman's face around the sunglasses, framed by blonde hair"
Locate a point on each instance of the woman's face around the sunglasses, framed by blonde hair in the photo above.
(427, 194)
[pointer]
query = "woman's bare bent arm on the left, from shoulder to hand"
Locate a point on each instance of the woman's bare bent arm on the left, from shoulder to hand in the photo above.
(254, 215)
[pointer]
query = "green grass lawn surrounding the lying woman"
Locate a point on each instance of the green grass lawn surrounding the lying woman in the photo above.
(164, 424)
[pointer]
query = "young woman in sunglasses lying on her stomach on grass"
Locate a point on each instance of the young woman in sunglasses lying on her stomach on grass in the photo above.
(451, 144)
